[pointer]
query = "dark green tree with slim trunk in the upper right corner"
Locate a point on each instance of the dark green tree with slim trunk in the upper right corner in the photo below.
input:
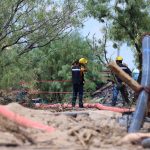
(128, 20)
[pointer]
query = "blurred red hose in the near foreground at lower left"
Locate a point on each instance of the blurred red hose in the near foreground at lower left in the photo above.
(22, 120)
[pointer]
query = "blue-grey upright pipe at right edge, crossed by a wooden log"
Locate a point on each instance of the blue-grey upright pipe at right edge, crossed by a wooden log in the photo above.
(138, 117)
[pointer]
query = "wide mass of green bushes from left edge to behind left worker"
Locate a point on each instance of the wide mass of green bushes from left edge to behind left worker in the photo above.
(52, 63)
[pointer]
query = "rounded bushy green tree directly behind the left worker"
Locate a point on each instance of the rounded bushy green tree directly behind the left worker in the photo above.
(56, 65)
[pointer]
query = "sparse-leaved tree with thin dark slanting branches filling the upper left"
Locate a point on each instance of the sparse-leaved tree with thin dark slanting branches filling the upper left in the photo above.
(30, 24)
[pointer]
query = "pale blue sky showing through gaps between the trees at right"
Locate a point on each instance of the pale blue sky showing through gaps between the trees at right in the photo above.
(92, 26)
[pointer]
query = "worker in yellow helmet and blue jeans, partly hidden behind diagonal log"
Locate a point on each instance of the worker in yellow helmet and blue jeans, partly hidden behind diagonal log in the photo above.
(120, 85)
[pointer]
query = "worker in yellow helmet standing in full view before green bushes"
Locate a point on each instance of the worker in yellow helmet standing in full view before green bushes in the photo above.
(78, 69)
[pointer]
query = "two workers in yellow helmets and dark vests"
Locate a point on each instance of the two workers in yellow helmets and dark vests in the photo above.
(78, 70)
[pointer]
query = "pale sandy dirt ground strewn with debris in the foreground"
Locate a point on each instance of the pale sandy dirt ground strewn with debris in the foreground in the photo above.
(90, 129)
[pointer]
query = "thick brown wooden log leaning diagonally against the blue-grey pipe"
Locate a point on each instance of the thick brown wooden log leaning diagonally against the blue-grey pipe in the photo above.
(125, 77)
